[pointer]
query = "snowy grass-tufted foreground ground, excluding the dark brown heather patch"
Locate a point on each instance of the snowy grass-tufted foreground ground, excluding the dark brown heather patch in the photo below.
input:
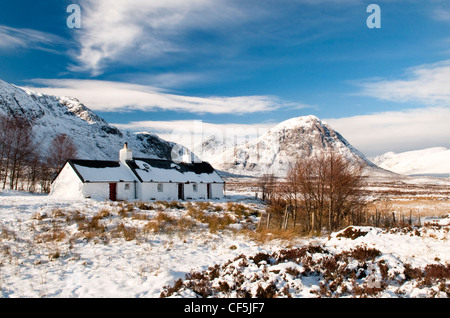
(52, 247)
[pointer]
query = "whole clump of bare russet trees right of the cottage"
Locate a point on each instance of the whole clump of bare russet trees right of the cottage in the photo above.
(322, 191)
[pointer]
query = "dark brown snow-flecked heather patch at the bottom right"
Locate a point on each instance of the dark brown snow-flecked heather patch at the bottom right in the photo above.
(338, 273)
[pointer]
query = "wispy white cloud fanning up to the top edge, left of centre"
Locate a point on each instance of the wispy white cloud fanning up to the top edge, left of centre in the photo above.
(114, 30)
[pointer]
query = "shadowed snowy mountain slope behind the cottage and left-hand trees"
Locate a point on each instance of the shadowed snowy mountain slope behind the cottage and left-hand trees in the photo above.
(94, 137)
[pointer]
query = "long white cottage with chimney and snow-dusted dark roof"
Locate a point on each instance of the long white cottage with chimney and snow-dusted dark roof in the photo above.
(138, 179)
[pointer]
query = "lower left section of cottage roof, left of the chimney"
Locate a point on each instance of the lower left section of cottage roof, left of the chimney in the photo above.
(102, 171)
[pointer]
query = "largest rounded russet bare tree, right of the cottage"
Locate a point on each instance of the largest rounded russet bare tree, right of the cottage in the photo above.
(323, 188)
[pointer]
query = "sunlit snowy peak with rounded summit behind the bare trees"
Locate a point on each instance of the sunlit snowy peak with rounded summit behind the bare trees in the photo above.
(281, 146)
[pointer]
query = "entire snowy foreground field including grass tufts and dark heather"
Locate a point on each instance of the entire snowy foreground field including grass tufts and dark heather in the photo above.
(58, 248)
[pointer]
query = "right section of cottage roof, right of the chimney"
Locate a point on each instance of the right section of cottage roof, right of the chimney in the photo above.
(158, 170)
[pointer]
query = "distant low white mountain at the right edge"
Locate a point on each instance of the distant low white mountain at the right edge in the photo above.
(429, 162)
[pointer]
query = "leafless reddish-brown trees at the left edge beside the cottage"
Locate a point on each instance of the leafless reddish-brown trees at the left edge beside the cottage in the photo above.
(24, 165)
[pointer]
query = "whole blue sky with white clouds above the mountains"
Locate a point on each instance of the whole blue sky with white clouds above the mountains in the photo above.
(158, 65)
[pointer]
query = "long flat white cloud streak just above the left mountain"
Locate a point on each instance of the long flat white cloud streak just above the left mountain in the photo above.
(118, 96)
